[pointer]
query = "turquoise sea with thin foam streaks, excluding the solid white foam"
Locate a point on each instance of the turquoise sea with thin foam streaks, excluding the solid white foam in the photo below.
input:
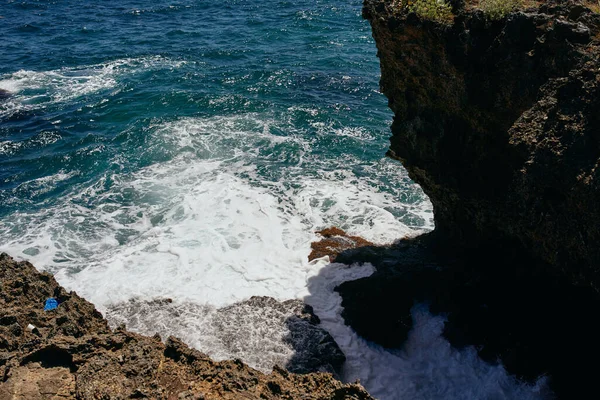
(101, 91)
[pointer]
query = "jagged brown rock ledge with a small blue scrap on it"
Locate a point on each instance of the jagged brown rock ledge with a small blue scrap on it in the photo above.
(73, 354)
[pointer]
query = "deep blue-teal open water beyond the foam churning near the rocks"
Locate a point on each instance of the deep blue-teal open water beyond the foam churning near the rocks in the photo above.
(91, 78)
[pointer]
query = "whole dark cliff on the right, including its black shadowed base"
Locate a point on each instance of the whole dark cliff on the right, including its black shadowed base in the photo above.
(499, 122)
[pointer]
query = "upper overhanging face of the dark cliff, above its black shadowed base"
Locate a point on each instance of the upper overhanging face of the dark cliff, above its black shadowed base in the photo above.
(499, 123)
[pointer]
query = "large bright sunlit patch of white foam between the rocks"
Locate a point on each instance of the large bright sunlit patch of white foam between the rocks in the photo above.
(205, 226)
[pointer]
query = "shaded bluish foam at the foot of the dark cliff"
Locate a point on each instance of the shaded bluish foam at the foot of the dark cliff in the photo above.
(426, 368)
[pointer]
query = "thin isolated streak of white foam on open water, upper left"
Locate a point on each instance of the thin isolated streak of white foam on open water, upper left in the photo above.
(31, 90)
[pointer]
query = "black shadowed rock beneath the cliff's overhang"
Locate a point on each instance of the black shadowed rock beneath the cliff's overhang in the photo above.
(500, 300)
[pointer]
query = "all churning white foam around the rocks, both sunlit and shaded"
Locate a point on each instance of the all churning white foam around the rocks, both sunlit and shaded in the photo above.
(211, 227)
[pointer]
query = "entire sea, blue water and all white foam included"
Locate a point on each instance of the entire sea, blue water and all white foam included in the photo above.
(190, 150)
